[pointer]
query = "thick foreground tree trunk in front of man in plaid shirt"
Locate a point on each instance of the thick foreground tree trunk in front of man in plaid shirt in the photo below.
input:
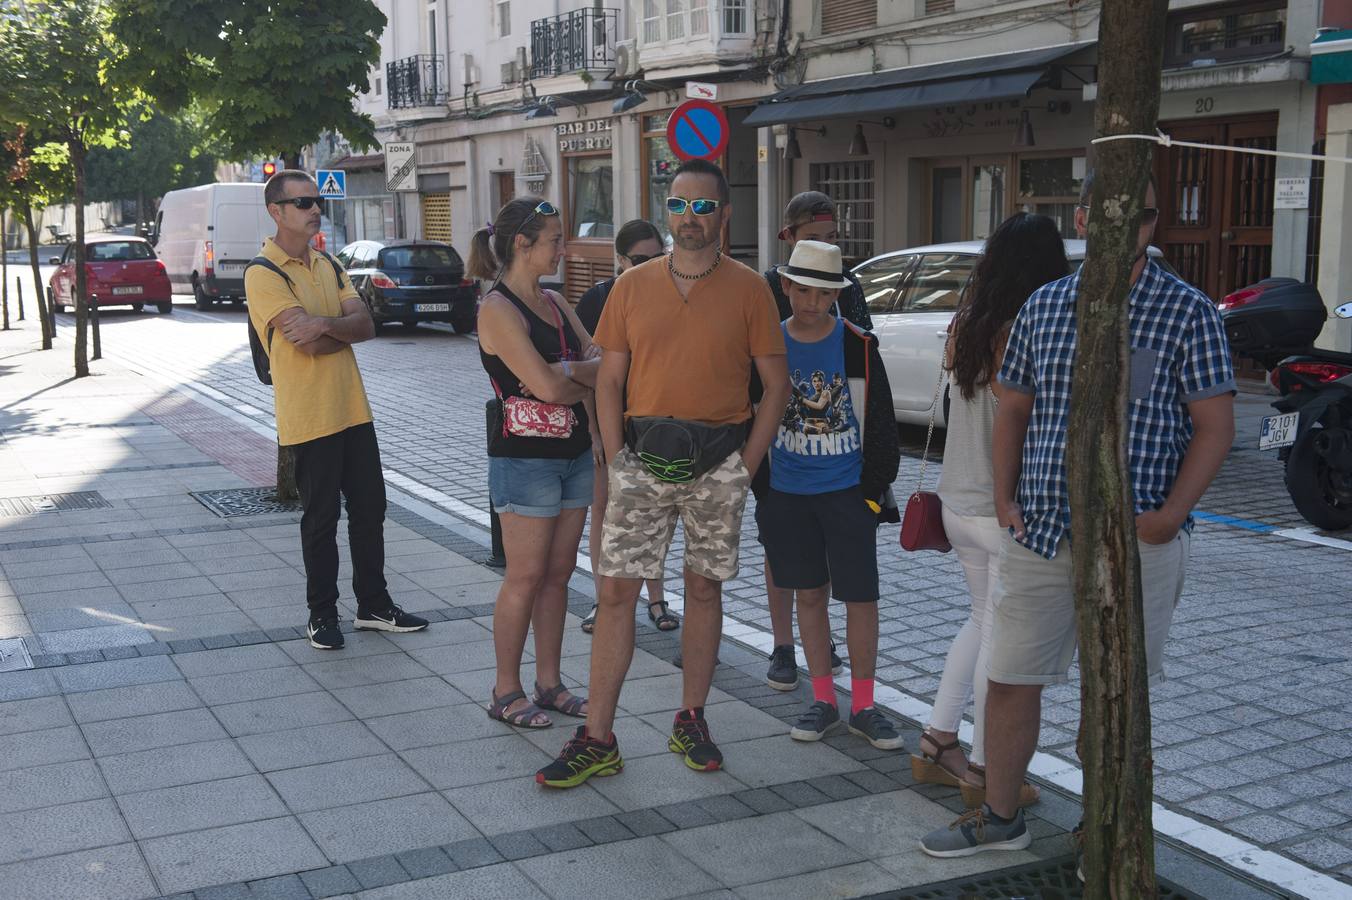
(1115, 741)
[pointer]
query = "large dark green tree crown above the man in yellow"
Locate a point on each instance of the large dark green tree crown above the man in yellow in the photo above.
(271, 75)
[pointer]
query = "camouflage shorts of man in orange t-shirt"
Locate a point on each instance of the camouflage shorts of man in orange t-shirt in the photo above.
(642, 517)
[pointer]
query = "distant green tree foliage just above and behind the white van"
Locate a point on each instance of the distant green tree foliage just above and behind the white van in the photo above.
(159, 153)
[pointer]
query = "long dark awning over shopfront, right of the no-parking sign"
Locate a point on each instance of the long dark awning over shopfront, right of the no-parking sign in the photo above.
(1000, 78)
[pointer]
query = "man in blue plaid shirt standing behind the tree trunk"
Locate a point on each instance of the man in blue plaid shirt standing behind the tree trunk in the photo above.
(1180, 430)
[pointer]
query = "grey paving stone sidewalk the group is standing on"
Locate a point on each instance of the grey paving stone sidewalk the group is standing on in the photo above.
(178, 737)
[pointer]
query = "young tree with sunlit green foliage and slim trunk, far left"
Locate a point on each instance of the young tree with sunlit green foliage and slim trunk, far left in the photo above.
(60, 67)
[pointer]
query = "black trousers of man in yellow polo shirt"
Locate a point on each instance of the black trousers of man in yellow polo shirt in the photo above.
(344, 466)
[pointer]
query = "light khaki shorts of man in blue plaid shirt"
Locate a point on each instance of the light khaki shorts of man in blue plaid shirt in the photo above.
(1034, 634)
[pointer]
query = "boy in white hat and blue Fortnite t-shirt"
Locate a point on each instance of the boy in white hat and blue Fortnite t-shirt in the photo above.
(829, 468)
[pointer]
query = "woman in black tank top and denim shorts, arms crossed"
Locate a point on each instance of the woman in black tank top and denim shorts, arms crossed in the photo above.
(540, 471)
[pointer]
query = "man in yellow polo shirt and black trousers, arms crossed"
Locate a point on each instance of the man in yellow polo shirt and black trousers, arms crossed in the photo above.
(309, 316)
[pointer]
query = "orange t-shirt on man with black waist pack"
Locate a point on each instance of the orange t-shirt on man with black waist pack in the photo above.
(692, 357)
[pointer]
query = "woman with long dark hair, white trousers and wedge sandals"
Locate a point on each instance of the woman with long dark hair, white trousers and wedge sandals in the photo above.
(1023, 255)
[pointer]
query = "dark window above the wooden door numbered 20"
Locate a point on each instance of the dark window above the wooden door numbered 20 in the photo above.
(1228, 33)
